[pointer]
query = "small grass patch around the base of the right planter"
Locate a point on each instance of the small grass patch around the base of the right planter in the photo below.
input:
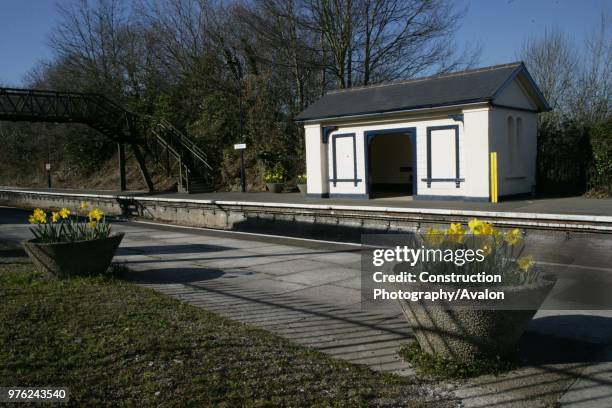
(439, 368)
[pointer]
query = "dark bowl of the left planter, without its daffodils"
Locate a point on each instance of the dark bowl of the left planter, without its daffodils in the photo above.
(81, 258)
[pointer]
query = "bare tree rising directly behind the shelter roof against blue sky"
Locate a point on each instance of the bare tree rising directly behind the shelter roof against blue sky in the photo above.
(382, 40)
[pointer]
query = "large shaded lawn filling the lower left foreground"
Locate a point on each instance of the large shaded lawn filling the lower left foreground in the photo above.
(114, 343)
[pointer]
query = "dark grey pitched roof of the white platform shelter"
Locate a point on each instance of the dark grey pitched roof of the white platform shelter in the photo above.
(477, 85)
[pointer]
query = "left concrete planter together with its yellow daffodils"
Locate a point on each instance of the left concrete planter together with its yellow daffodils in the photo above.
(67, 245)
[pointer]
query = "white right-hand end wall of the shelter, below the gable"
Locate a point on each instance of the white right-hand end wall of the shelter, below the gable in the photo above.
(519, 178)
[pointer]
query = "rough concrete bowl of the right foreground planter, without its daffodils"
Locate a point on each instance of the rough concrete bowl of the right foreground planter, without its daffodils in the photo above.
(465, 334)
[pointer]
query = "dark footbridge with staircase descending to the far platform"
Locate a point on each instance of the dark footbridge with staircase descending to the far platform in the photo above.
(148, 137)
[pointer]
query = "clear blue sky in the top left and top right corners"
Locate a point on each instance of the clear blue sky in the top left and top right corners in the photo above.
(500, 27)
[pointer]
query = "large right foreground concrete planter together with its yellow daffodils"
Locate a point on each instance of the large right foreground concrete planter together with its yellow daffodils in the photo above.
(476, 329)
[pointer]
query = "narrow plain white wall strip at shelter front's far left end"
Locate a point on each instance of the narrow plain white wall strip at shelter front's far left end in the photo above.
(316, 160)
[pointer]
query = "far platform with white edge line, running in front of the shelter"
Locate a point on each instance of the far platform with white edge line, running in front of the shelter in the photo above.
(346, 219)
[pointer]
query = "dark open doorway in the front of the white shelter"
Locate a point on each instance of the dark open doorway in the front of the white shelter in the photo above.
(391, 166)
